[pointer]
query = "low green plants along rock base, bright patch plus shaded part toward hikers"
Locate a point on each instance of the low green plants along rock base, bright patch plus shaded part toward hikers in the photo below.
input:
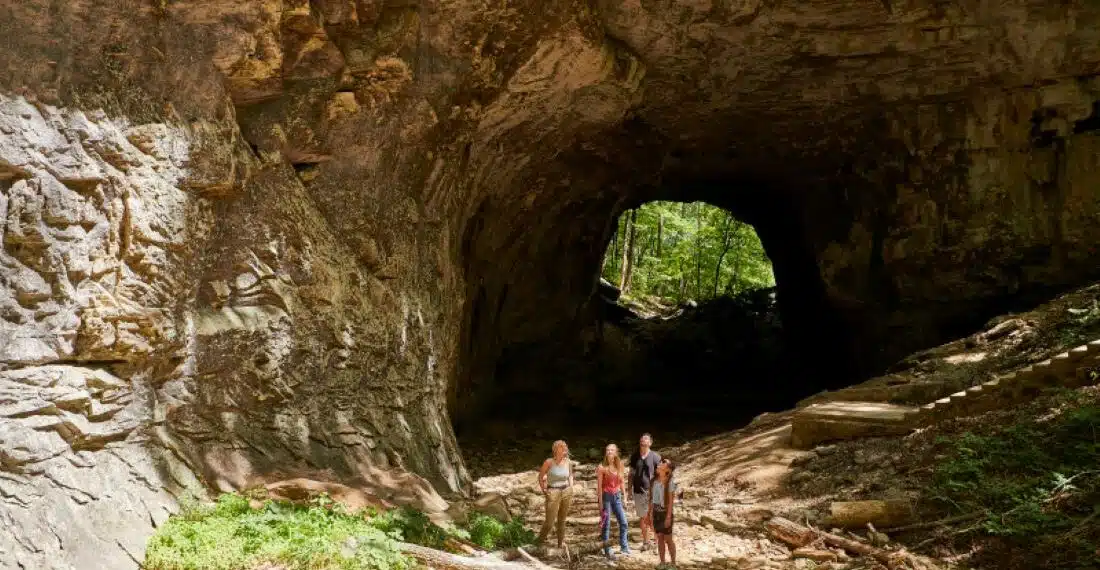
(230, 535)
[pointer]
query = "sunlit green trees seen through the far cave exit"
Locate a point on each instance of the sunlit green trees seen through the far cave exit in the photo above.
(685, 251)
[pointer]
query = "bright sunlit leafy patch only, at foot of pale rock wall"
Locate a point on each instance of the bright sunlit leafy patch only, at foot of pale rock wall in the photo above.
(230, 535)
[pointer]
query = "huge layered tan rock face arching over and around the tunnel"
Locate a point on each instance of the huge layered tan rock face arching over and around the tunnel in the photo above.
(245, 238)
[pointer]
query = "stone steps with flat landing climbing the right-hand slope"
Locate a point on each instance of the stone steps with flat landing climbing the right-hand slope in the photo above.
(835, 421)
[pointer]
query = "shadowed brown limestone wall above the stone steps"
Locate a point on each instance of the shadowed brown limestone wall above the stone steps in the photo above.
(981, 200)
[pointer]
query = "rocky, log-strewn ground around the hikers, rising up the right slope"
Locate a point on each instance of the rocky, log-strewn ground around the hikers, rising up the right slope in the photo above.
(738, 480)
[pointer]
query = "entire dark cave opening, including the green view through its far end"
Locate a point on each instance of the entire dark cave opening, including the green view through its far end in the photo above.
(545, 339)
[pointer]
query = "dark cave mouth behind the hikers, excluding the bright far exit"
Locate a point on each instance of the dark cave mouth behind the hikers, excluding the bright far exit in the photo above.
(541, 344)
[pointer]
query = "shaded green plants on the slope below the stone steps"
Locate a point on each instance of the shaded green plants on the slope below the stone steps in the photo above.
(1037, 484)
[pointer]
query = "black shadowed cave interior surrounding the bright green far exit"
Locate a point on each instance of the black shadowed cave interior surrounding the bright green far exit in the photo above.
(549, 345)
